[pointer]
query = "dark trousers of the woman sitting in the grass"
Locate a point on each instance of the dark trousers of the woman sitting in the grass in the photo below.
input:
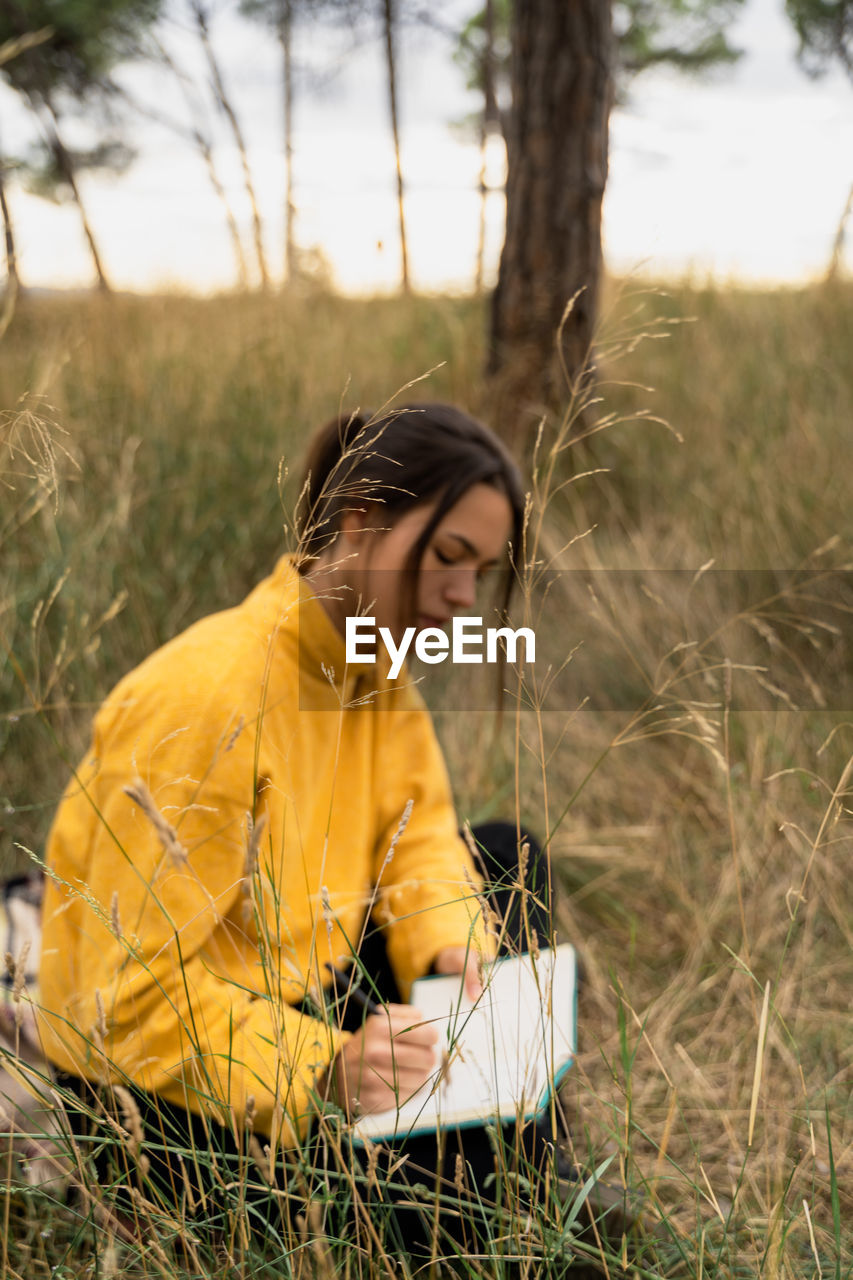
(431, 1188)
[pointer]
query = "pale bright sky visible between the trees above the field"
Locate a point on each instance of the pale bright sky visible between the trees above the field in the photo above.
(742, 176)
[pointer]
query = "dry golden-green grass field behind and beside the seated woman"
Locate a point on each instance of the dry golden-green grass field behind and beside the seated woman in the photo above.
(150, 447)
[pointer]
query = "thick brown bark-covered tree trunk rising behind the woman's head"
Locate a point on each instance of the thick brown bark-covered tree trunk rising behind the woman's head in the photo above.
(558, 171)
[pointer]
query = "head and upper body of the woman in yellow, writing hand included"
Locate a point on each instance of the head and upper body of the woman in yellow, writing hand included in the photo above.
(257, 810)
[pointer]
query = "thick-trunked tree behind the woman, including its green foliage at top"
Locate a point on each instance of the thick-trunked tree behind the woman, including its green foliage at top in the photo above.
(567, 63)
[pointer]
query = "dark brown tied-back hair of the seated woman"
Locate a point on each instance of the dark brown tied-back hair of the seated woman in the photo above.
(404, 459)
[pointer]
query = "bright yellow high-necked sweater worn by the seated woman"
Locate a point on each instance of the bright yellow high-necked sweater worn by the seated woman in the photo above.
(174, 964)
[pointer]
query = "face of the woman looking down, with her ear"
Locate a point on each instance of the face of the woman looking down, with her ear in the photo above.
(468, 541)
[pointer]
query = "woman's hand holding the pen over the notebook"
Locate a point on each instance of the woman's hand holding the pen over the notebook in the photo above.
(384, 1064)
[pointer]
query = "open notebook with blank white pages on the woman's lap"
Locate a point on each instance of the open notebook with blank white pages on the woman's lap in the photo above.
(501, 1057)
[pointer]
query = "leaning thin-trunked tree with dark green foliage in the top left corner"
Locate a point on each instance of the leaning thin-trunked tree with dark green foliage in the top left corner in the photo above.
(72, 66)
